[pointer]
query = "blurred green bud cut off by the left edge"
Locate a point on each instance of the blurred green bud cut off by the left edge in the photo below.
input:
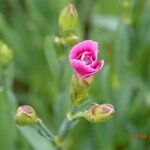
(5, 54)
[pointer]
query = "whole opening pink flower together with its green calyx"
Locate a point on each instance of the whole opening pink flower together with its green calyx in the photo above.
(83, 59)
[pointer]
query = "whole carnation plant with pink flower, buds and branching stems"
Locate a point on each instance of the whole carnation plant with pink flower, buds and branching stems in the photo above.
(83, 59)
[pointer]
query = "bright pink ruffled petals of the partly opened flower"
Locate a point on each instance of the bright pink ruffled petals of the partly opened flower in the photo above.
(83, 58)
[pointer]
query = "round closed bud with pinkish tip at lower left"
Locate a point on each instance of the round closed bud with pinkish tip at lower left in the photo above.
(25, 115)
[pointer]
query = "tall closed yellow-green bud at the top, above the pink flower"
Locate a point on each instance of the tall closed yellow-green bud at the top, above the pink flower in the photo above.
(68, 20)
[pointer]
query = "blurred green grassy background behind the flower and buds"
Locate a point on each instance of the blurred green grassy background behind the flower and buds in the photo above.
(122, 28)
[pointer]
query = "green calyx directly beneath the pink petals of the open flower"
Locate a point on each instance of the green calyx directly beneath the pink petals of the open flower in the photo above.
(80, 88)
